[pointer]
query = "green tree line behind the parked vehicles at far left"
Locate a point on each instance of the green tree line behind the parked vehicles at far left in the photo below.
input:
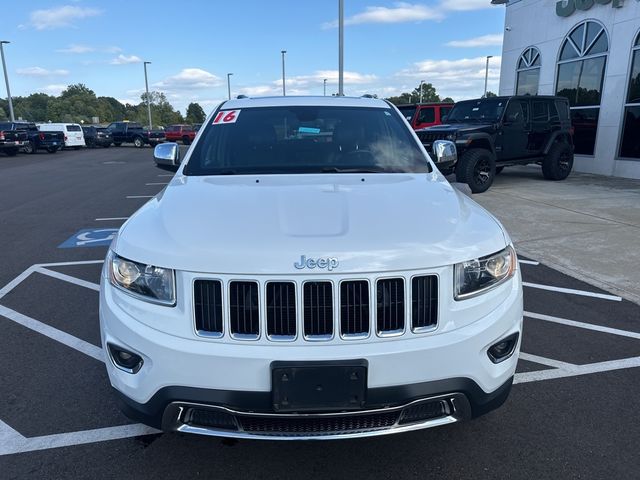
(79, 104)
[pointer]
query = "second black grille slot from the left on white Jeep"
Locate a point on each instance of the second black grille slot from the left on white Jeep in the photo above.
(243, 309)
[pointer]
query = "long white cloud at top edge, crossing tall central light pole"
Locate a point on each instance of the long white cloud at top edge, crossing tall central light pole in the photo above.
(399, 13)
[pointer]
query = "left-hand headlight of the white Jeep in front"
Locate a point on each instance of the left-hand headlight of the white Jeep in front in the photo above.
(150, 283)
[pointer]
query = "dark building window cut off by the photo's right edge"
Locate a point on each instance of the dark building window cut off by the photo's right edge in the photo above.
(630, 145)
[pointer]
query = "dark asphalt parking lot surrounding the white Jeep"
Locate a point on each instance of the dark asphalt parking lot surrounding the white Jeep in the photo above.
(571, 414)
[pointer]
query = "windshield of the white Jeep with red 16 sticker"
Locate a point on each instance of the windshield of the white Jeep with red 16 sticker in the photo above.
(309, 139)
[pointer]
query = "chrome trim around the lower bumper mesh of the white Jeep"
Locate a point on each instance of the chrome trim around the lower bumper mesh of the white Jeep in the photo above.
(176, 411)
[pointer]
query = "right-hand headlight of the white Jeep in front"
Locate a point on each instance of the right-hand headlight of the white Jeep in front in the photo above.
(476, 276)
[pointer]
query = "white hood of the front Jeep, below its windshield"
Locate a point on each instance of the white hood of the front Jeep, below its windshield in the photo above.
(263, 224)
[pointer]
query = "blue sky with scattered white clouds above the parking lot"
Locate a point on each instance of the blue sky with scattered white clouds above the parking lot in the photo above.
(389, 47)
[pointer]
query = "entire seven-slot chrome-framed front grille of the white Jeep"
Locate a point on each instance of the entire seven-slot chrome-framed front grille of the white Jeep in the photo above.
(280, 309)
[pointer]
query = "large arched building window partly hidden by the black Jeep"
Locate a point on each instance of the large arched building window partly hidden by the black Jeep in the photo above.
(583, 57)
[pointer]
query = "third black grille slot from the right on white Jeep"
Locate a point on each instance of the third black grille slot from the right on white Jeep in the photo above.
(354, 308)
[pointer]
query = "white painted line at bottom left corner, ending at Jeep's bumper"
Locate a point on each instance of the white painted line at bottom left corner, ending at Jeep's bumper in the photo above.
(18, 443)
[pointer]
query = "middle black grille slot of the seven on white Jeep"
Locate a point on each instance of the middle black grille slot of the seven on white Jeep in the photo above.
(318, 309)
